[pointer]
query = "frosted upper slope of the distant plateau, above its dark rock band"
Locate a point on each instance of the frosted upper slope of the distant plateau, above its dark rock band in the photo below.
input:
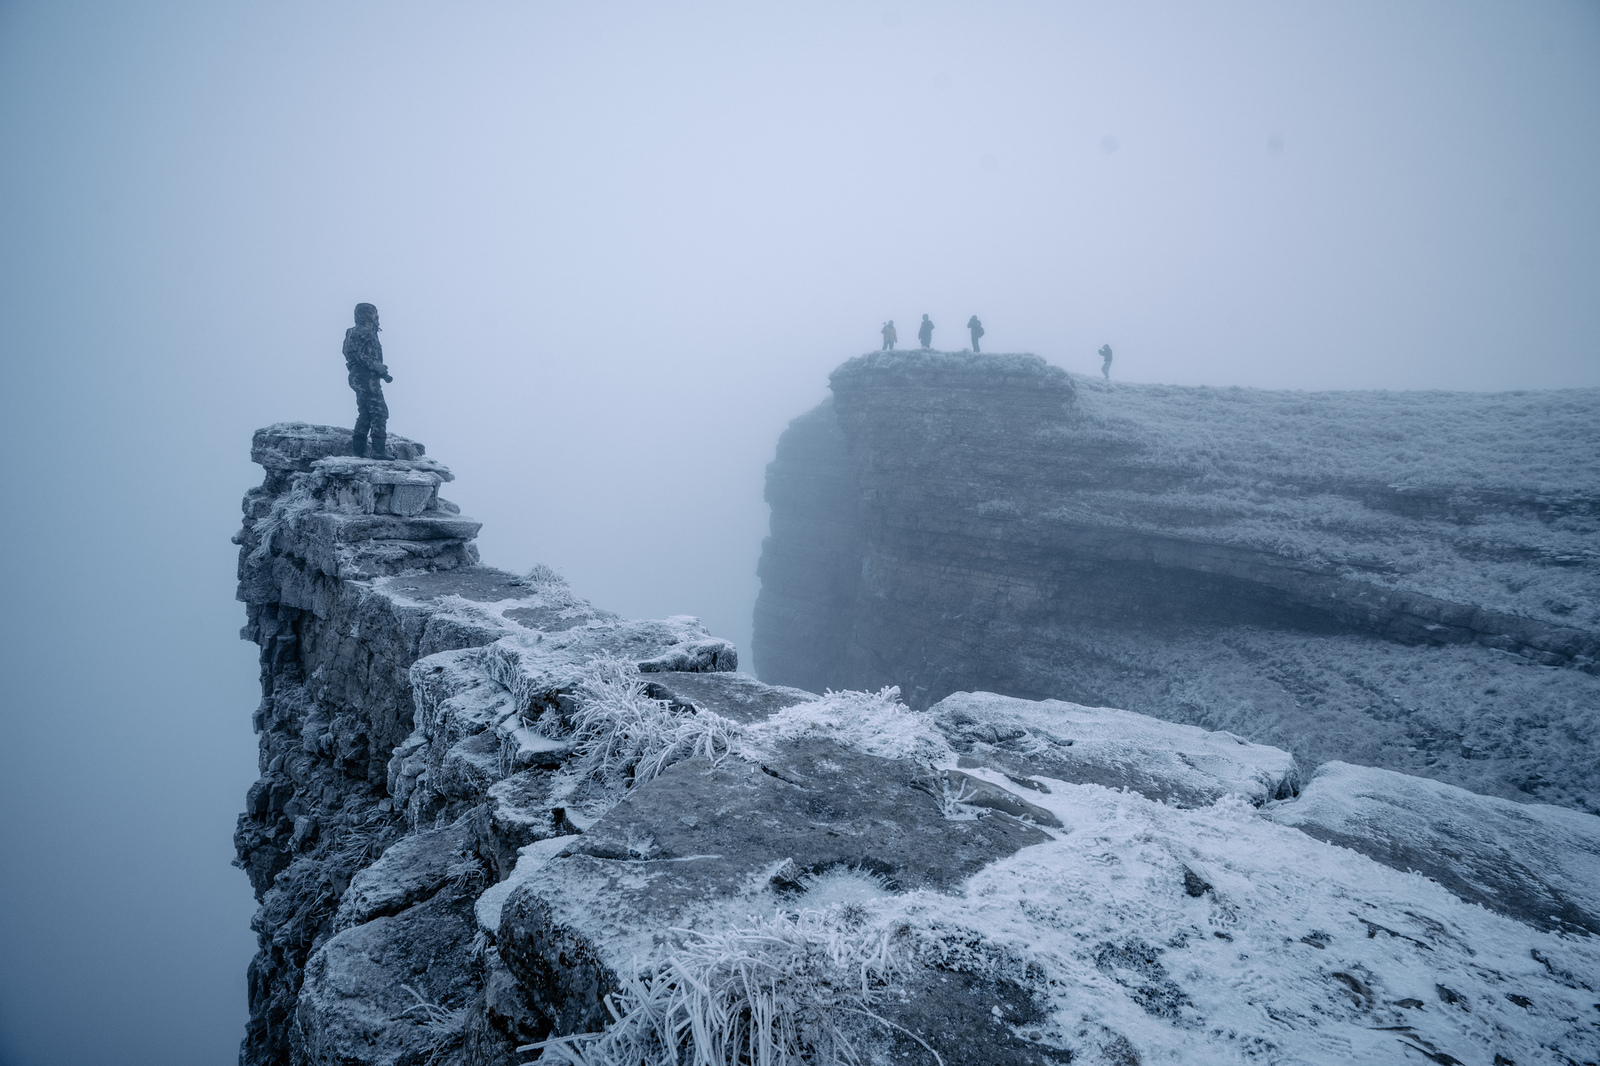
(1516, 478)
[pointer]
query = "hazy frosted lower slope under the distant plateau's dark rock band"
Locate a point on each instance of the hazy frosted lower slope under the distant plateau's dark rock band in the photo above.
(1466, 715)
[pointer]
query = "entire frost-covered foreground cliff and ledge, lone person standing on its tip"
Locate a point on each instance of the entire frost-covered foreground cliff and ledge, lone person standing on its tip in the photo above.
(497, 824)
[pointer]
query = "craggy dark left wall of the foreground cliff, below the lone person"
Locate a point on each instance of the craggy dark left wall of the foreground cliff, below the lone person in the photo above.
(362, 747)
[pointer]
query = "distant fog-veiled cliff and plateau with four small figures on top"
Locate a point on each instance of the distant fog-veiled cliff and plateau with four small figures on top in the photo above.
(1402, 580)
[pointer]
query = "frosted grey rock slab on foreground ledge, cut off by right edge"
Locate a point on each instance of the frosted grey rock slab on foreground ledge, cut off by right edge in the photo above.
(1530, 862)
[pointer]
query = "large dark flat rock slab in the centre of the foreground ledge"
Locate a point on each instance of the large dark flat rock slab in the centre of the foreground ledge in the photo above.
(708, 846)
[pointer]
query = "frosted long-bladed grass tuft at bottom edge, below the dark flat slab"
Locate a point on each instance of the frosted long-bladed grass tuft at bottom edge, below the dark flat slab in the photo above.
(782, 993)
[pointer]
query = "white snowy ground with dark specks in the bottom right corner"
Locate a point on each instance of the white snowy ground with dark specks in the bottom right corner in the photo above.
(1298, 952)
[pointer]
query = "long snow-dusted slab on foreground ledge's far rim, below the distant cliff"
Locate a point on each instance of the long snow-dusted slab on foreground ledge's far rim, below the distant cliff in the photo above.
(1164, 761)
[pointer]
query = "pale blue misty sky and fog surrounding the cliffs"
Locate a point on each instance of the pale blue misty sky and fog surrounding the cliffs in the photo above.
(615, 250)
